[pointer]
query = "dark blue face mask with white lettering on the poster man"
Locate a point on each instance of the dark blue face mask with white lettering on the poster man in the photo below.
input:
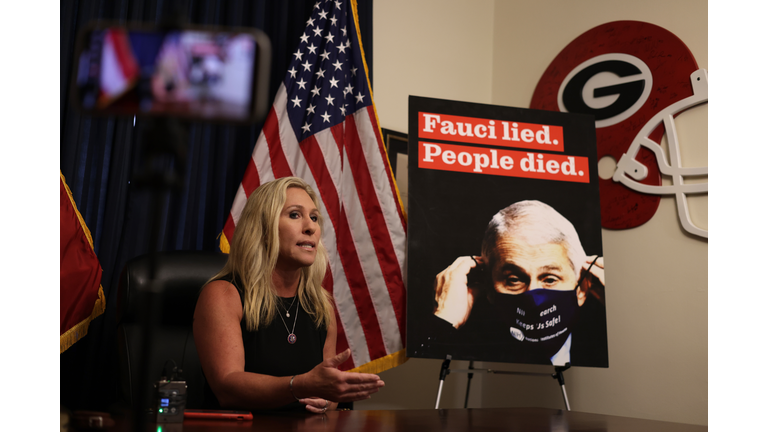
(540, 319)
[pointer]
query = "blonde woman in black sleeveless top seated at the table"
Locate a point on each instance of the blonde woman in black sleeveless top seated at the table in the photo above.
(264, 327)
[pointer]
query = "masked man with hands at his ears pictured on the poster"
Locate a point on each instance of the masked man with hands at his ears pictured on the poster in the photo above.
(533, 291)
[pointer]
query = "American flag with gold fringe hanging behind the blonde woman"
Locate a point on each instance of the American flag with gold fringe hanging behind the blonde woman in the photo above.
(323, 128)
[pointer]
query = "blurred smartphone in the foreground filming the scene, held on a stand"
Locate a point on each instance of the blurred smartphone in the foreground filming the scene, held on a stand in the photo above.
(193, 72)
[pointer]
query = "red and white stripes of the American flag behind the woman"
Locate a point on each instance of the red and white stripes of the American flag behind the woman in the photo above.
(365, 225)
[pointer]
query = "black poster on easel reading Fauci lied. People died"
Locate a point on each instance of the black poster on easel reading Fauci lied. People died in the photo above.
(505, 257)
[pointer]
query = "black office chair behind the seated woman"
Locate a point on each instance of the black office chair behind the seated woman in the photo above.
(182, 274)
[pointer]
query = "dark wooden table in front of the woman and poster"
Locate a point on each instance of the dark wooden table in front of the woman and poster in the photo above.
(445, 420)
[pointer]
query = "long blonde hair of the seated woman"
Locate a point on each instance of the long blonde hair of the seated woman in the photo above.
(254, 251)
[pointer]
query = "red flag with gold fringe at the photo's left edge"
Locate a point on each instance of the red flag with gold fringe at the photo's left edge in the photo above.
(81, 294)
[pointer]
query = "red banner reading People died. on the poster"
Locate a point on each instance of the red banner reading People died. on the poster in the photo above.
(480, 160)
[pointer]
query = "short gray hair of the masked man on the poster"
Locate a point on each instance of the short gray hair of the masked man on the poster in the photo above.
(537, 223)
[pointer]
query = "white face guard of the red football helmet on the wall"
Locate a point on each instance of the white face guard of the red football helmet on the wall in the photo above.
(630, 172)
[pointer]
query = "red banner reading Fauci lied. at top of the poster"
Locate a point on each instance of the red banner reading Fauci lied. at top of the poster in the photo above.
(492, 132)
